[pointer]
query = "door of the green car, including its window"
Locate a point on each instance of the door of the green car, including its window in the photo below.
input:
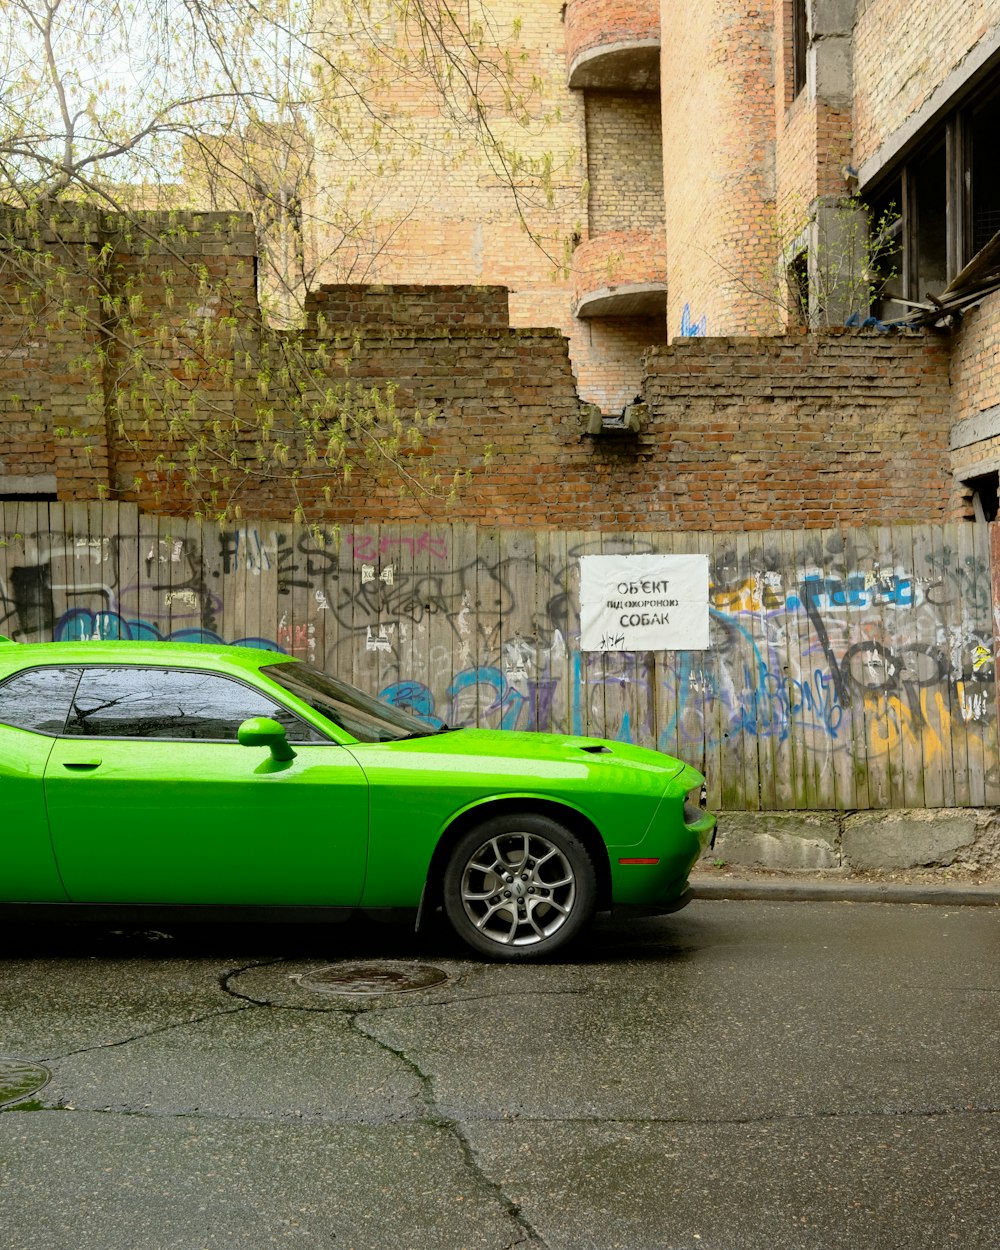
(152, 799)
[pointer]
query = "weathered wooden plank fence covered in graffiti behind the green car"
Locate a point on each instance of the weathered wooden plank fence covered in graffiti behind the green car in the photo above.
(847, 669)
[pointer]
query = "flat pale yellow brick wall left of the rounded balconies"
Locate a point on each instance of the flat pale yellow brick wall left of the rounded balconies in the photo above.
(429, 204)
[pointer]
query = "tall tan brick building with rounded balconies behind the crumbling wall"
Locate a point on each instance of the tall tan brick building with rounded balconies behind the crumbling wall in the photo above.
(722, 171)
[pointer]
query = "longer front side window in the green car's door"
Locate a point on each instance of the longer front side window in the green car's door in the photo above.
(173, 704)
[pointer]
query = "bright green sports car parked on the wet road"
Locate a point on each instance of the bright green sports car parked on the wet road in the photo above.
(186, 782)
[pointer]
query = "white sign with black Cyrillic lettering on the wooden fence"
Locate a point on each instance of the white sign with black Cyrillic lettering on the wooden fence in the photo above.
(644, 603)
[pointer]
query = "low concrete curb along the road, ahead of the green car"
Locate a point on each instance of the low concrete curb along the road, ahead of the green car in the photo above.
(847, 892)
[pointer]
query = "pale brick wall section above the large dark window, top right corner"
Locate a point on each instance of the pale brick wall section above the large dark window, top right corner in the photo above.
(903, 52)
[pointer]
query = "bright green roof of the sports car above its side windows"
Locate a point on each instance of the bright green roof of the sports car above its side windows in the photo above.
(191, 656)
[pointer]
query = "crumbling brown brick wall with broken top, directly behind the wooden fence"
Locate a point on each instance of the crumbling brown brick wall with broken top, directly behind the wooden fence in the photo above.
(742, 433)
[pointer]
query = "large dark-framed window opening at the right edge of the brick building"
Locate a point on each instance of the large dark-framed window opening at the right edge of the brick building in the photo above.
(943, 206)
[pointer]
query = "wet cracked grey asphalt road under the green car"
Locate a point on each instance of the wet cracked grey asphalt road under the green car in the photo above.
(738, 1077)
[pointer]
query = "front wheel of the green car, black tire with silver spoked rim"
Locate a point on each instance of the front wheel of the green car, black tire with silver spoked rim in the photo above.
(519, 887)
